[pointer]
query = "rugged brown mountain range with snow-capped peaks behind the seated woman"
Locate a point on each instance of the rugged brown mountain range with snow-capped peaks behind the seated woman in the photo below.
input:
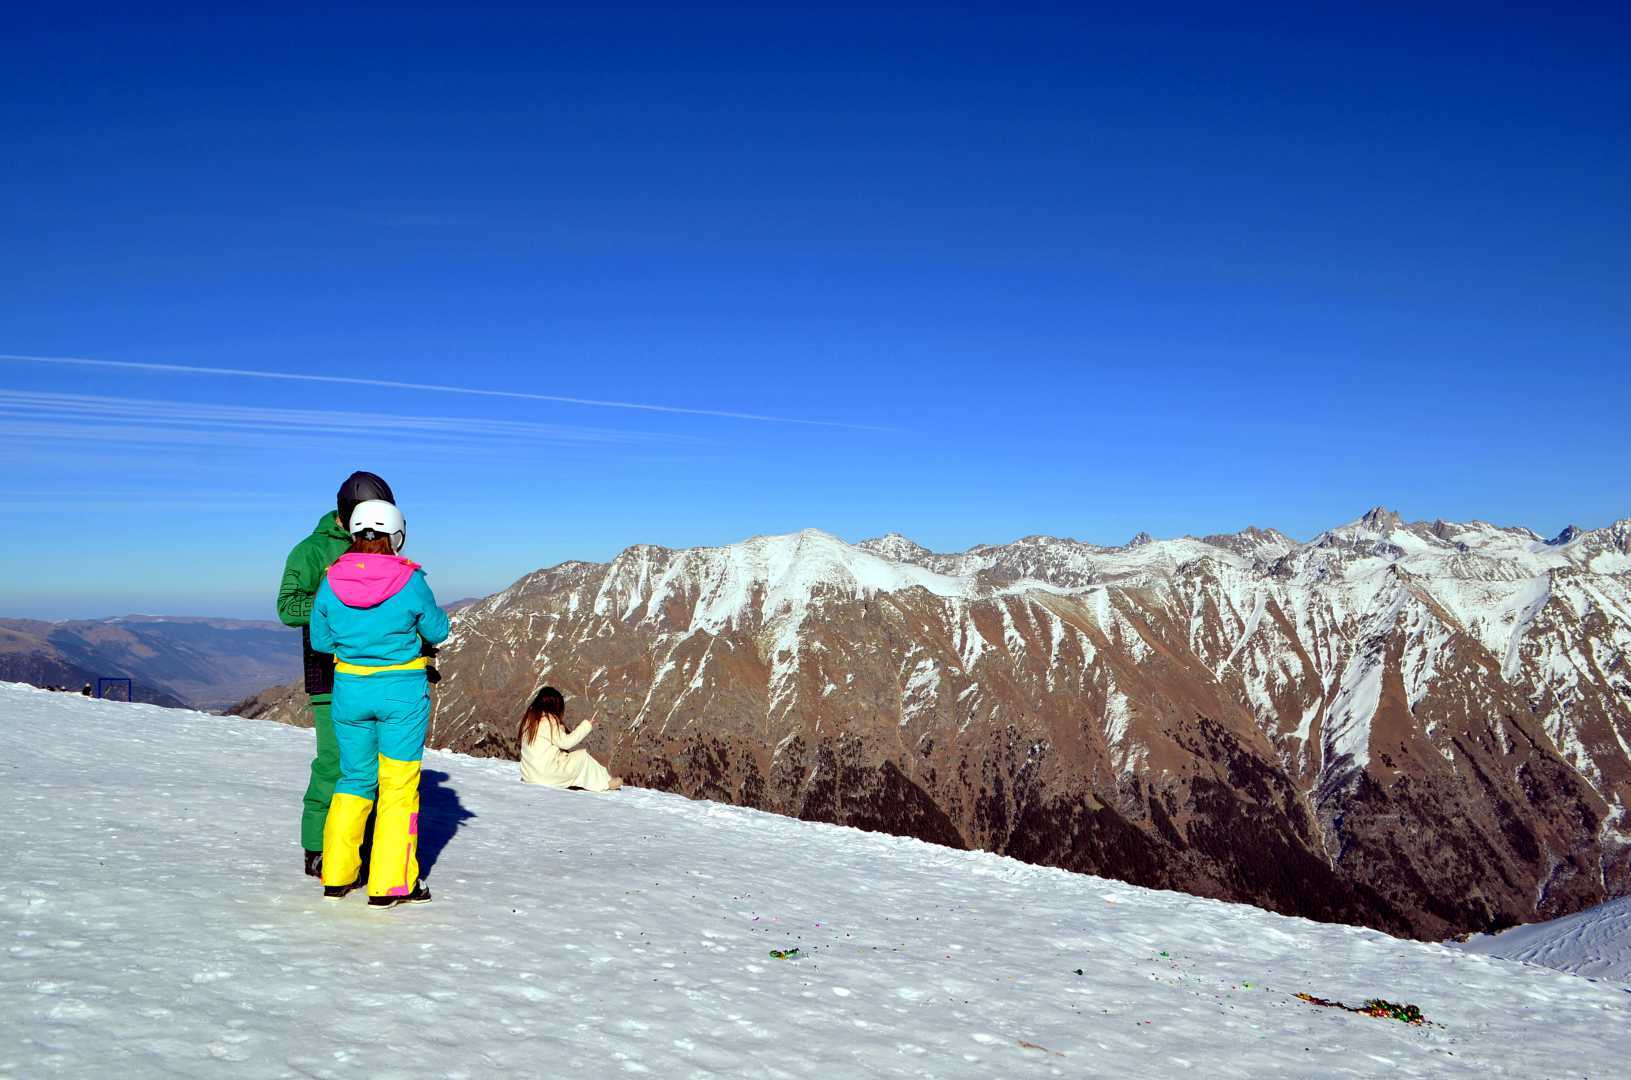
(1417, 727)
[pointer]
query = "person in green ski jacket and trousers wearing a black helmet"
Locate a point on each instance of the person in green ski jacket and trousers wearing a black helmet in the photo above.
(303, 575)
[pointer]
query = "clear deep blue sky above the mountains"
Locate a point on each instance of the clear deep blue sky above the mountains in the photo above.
(979, 275)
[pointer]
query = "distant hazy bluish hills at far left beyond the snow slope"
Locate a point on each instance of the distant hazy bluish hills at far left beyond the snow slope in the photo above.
(201, 663)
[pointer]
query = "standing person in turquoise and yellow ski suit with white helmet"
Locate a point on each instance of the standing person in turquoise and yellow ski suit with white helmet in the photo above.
(376, 614)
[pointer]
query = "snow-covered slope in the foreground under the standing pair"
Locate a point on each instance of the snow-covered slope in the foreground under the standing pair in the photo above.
(156, 924)
